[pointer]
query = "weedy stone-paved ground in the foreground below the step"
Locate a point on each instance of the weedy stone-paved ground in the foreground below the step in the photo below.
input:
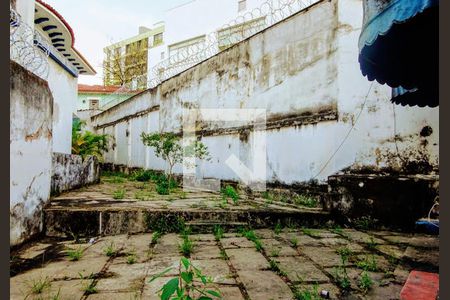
(292, 261)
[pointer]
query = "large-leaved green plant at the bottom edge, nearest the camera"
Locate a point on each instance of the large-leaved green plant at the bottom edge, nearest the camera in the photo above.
(190, 284)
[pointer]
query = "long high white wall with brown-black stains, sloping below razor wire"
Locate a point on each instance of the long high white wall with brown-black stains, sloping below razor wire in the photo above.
(323, 115)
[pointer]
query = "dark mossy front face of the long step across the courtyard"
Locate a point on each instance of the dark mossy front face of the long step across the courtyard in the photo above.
(109, 220)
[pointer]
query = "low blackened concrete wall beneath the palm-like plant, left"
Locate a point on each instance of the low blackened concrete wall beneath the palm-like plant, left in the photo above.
(69, 171)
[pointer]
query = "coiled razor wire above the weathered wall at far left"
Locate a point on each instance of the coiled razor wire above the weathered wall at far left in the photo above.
(27, 47)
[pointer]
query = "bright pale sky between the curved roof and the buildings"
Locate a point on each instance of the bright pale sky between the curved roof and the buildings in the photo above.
(99, 23)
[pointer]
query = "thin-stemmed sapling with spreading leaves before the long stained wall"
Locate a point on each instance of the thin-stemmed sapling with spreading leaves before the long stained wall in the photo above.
(168, 147)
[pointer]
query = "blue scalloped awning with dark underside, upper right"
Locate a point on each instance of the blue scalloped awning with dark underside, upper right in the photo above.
(399, 47)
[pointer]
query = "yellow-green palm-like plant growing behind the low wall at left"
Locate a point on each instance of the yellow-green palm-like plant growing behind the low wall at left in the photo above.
(88, 143)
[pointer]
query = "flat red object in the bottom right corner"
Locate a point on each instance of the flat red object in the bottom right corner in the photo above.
(420, 286)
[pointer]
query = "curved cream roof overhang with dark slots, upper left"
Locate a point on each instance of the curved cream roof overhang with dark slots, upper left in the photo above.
(60, 35)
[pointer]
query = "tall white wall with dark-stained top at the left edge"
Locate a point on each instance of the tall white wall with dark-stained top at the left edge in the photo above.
(31, 106)
